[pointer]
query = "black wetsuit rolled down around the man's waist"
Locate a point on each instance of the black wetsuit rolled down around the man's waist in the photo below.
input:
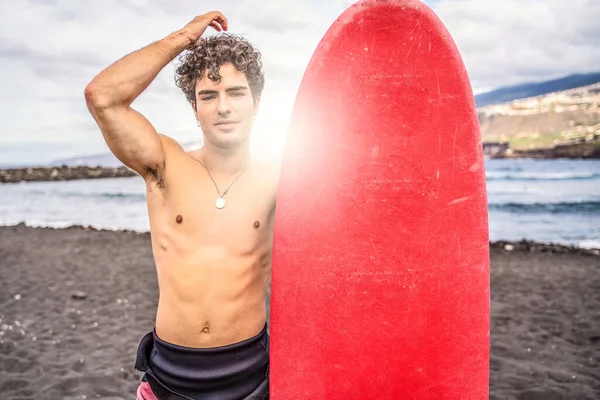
(232, 372)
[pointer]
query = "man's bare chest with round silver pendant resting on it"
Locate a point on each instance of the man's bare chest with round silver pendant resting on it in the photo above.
(192, 212)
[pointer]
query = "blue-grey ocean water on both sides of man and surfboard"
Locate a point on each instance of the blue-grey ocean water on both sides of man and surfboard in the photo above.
(552, 201)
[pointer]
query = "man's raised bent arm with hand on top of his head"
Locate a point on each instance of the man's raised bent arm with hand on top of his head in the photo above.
(128, 134)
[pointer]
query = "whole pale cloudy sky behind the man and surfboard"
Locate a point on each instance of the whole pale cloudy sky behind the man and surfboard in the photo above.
(51, 49)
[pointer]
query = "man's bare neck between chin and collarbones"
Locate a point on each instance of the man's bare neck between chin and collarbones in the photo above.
(225, 161)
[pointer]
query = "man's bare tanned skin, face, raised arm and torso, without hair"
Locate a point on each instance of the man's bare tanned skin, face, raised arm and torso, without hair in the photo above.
(213, 265)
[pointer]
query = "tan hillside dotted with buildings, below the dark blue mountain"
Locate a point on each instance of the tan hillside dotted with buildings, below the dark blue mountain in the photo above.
(558, 124)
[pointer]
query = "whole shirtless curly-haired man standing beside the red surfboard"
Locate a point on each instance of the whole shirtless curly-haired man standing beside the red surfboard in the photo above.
(211, 213)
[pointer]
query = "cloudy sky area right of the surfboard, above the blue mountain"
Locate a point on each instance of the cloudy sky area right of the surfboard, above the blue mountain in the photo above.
(511, 41)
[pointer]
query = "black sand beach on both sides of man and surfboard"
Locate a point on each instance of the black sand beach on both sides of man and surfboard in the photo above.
(74, 303)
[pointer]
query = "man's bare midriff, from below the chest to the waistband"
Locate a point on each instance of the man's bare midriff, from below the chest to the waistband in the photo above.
(211, 297)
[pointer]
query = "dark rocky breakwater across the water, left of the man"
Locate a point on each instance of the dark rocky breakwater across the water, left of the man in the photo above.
(62, 173)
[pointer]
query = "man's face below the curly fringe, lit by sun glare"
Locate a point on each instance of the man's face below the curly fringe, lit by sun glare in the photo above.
(226, 109)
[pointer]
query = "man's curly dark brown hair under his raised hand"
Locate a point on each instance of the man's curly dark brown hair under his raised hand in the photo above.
(214, 52)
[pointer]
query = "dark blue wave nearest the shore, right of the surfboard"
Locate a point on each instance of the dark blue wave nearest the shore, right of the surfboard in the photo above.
(576, 207)
